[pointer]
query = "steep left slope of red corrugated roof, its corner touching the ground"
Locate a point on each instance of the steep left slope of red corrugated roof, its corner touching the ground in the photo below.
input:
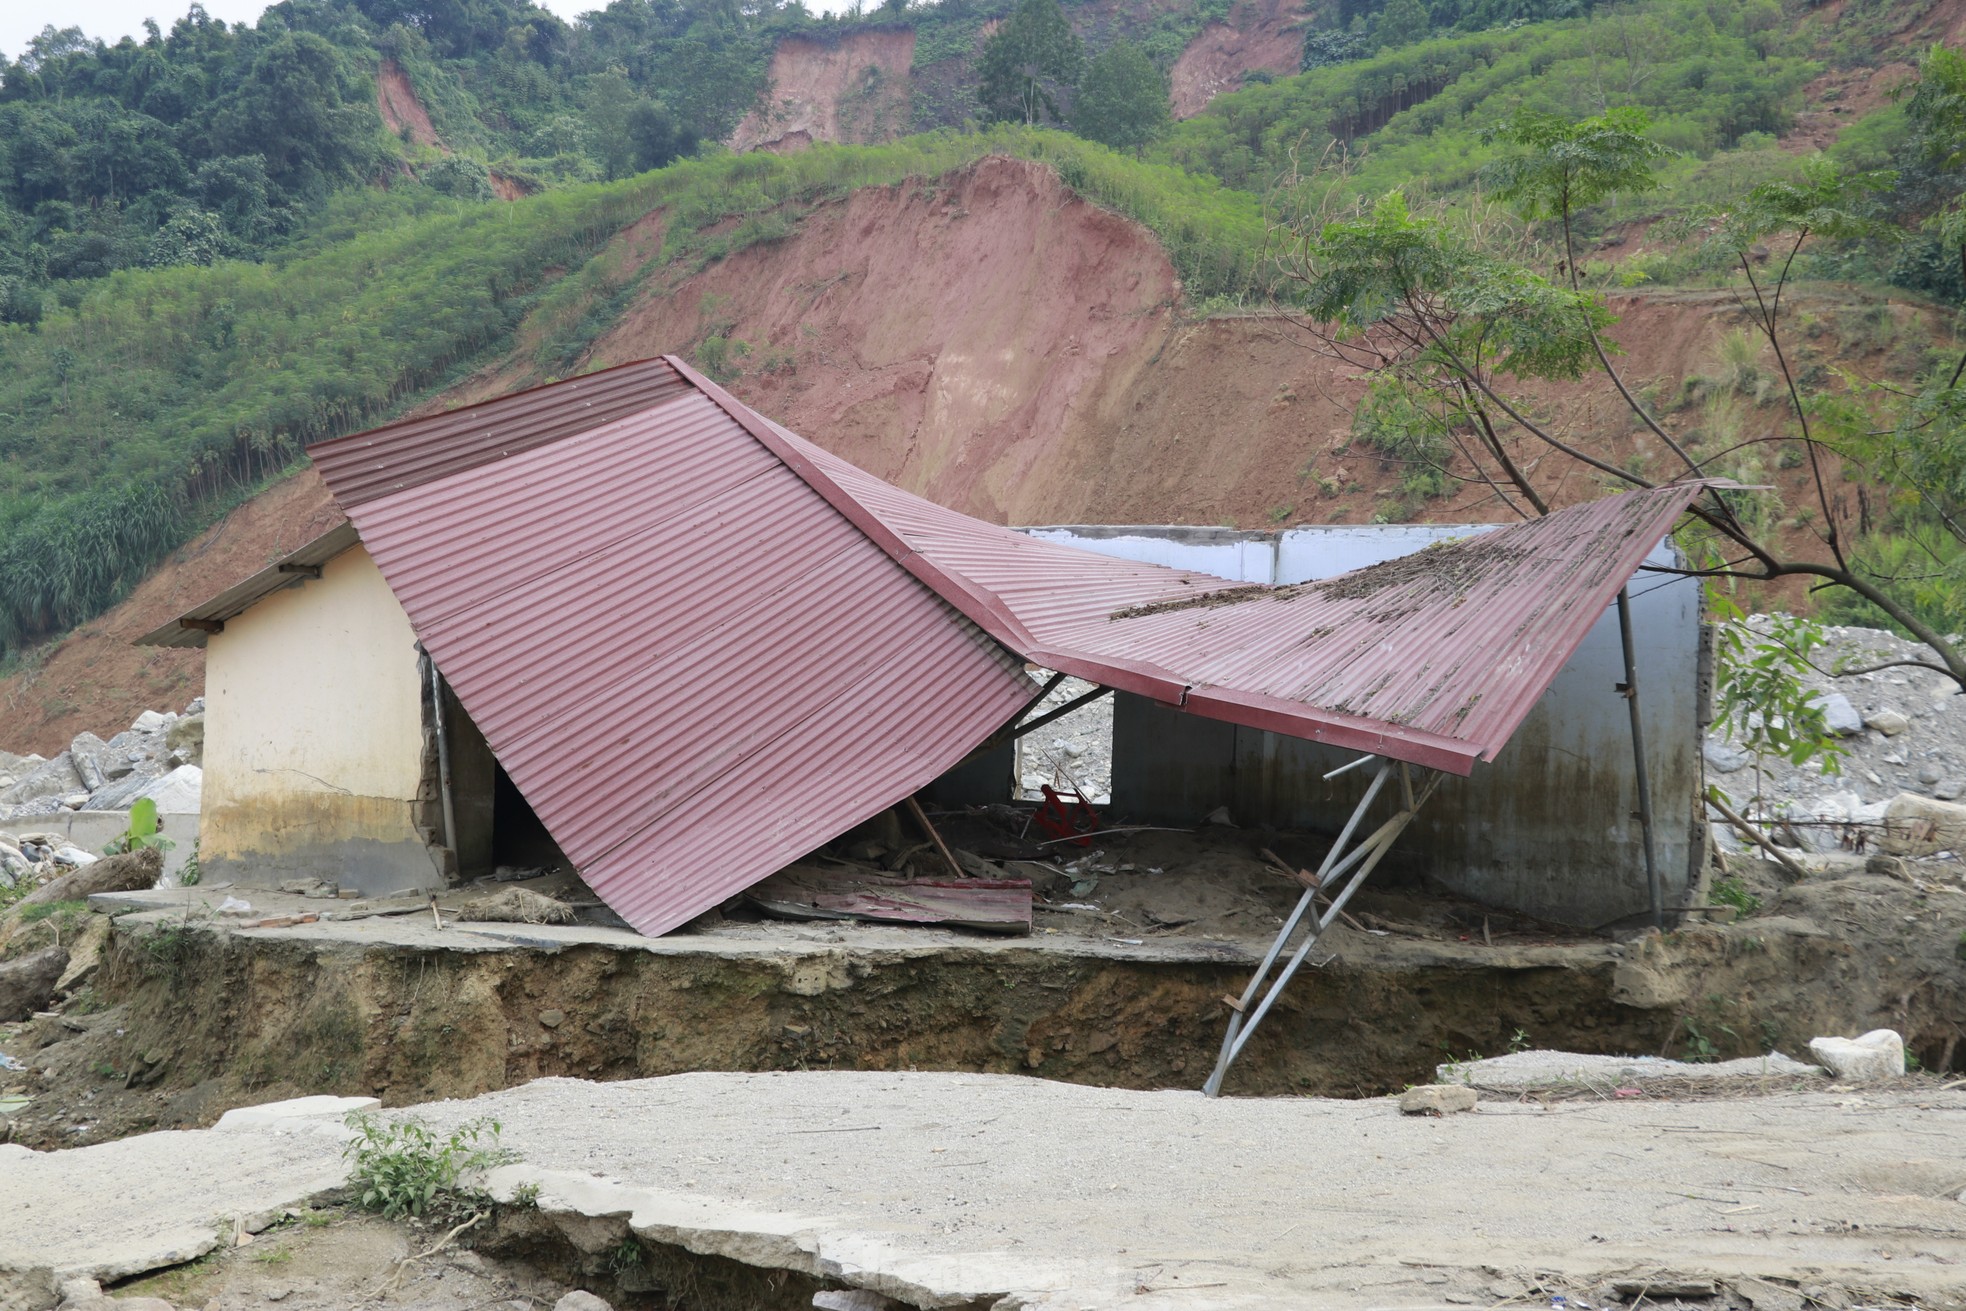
(687, 703)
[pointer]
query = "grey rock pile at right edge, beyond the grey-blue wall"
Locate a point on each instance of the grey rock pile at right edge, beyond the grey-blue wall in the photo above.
(1902, 775)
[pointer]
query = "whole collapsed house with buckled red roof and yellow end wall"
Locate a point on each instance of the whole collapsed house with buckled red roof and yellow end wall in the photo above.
(634, 616)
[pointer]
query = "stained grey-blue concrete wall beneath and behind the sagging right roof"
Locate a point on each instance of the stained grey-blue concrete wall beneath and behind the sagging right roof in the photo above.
(1548, 828)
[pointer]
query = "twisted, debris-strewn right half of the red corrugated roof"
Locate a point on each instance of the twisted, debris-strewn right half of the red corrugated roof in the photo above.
(1432, 659)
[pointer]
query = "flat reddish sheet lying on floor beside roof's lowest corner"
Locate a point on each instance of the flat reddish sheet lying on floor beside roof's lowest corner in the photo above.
(846, 893)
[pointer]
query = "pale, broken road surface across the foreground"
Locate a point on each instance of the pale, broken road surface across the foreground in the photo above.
(962, 1190)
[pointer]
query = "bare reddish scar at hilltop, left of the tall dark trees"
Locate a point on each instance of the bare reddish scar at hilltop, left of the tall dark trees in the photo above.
(854, 89)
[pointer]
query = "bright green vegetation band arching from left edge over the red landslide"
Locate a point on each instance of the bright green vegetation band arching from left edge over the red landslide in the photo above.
(164, 394)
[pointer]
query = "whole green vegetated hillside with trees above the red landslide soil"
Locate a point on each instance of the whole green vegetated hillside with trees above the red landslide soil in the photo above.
(211, 251)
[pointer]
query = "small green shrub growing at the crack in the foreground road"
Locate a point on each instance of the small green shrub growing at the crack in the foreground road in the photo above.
(404, 1168)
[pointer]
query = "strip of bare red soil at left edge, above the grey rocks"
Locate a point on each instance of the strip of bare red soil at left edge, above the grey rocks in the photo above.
(97, 681)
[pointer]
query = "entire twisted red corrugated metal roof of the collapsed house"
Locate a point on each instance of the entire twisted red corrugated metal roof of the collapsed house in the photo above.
(703, 646)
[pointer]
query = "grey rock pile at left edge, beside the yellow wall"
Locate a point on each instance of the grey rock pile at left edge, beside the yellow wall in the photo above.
(154, 758)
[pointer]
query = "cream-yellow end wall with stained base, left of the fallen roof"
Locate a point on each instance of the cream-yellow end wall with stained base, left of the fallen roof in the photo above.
(314, 738)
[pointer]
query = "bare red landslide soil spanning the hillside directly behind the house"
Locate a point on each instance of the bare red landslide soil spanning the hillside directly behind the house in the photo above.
(1008, 349)
